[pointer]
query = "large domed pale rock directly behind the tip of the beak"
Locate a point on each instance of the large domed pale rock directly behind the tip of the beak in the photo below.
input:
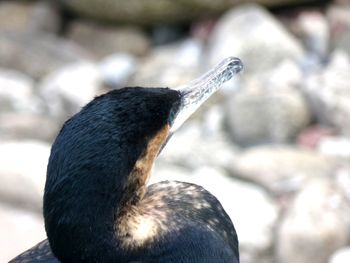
(241, 32)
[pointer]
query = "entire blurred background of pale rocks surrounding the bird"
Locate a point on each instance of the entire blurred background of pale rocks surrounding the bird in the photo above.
(273, 145)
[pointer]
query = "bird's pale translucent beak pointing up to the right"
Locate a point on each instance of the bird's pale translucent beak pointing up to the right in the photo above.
(200, 89)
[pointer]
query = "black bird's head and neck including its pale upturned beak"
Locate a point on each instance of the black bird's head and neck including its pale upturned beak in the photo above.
(101, 159)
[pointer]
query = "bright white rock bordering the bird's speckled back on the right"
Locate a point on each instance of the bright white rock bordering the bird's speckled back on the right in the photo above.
(243, 202)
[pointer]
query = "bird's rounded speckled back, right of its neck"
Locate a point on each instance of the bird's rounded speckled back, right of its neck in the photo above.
(192, 225)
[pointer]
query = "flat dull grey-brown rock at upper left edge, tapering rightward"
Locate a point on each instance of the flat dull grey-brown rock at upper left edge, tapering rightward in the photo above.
(37, 54)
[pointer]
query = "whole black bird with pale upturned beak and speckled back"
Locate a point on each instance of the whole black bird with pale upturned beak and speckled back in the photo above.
(97, 205)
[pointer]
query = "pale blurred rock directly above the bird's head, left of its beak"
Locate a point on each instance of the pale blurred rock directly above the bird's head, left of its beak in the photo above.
(170, 65)
